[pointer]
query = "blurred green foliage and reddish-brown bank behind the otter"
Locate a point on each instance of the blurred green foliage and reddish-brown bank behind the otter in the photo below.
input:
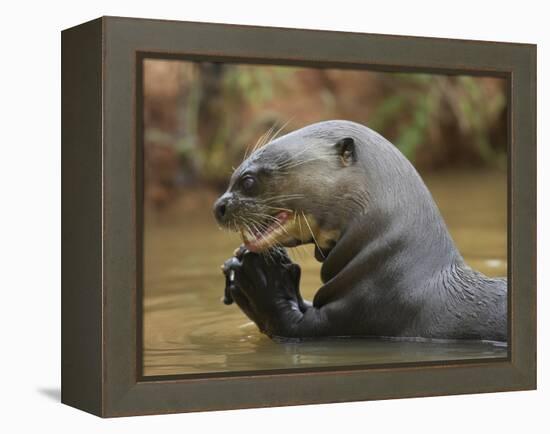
(200, 117)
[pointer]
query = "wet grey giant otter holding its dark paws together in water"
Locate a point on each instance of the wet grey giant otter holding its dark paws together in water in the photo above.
(390, 267)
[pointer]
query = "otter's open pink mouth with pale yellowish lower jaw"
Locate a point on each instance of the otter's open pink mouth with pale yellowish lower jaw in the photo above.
(273, 232)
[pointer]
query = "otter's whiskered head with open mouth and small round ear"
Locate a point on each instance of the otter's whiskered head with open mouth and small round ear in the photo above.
(294, 190)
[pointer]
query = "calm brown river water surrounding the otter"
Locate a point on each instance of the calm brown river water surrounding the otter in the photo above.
(187, 329)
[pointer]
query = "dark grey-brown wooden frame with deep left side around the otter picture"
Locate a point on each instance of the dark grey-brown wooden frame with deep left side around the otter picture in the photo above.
(102, 178)
